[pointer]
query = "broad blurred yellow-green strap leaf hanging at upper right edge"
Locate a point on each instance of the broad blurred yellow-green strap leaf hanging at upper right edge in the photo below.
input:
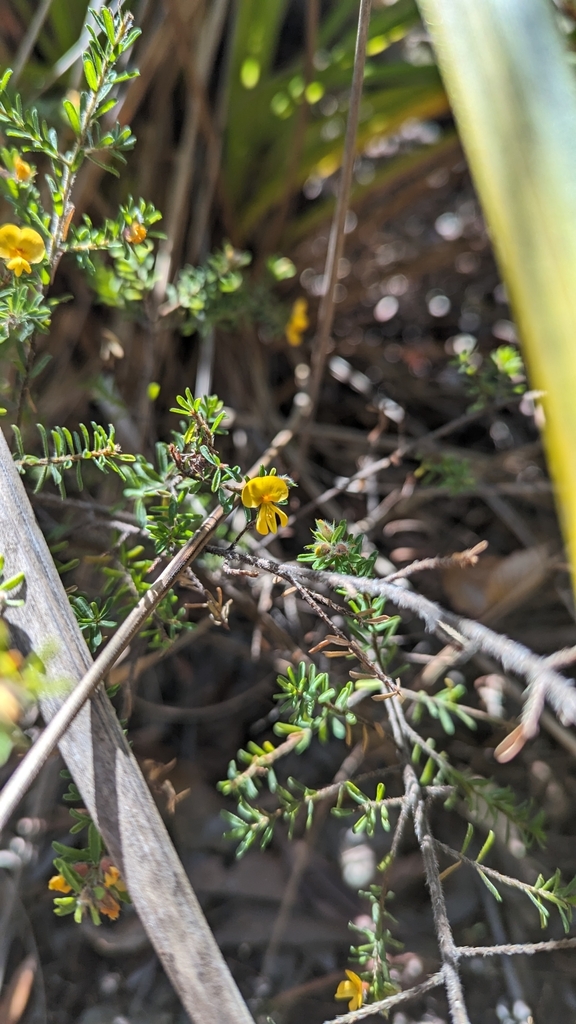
(514, 95)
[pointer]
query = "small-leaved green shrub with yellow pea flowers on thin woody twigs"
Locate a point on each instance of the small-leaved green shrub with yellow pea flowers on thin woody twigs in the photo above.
(159, 505)
